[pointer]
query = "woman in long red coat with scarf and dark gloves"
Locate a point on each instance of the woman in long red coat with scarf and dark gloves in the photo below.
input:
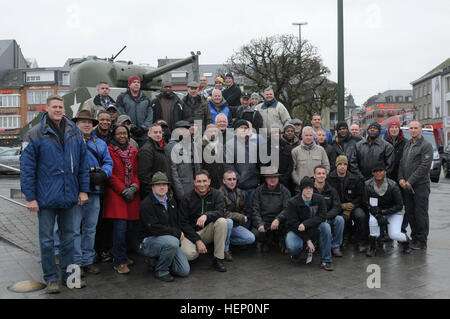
(122, 199)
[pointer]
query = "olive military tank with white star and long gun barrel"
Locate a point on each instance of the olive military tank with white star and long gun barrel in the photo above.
(87, 73)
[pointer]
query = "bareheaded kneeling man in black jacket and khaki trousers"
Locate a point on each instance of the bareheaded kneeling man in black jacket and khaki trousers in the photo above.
(202, 212)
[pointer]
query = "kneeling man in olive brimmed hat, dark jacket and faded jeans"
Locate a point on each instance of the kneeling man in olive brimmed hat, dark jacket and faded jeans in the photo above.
(160, 232)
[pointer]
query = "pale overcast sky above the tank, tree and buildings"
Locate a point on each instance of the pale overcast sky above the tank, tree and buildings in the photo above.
(388, 43)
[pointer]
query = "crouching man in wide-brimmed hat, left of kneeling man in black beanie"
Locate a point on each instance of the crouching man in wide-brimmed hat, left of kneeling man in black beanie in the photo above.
(269, 201)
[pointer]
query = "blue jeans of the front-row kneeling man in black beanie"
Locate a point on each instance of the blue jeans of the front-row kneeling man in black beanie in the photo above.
(294, 243)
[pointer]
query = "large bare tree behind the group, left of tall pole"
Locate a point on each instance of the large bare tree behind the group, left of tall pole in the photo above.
(296, 73)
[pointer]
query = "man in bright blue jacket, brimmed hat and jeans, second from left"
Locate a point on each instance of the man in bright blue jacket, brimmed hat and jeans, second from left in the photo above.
(100, 169)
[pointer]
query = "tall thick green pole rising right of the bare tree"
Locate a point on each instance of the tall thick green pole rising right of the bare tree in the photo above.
(341, 78)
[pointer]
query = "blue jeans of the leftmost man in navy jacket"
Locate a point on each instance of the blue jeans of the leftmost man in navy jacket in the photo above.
(66, 225)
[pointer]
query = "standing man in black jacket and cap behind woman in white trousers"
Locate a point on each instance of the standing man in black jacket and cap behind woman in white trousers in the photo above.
(370, 151)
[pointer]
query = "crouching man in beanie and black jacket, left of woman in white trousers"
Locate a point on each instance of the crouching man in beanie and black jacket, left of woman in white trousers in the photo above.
(350, 189)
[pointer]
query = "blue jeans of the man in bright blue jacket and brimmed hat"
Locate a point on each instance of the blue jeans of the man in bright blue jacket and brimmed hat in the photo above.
(86, 218)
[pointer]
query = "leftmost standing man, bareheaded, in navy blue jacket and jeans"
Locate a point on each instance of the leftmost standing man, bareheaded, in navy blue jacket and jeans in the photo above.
(54, 178)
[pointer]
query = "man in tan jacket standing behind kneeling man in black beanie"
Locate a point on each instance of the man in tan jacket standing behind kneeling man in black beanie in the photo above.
(307, 156)
